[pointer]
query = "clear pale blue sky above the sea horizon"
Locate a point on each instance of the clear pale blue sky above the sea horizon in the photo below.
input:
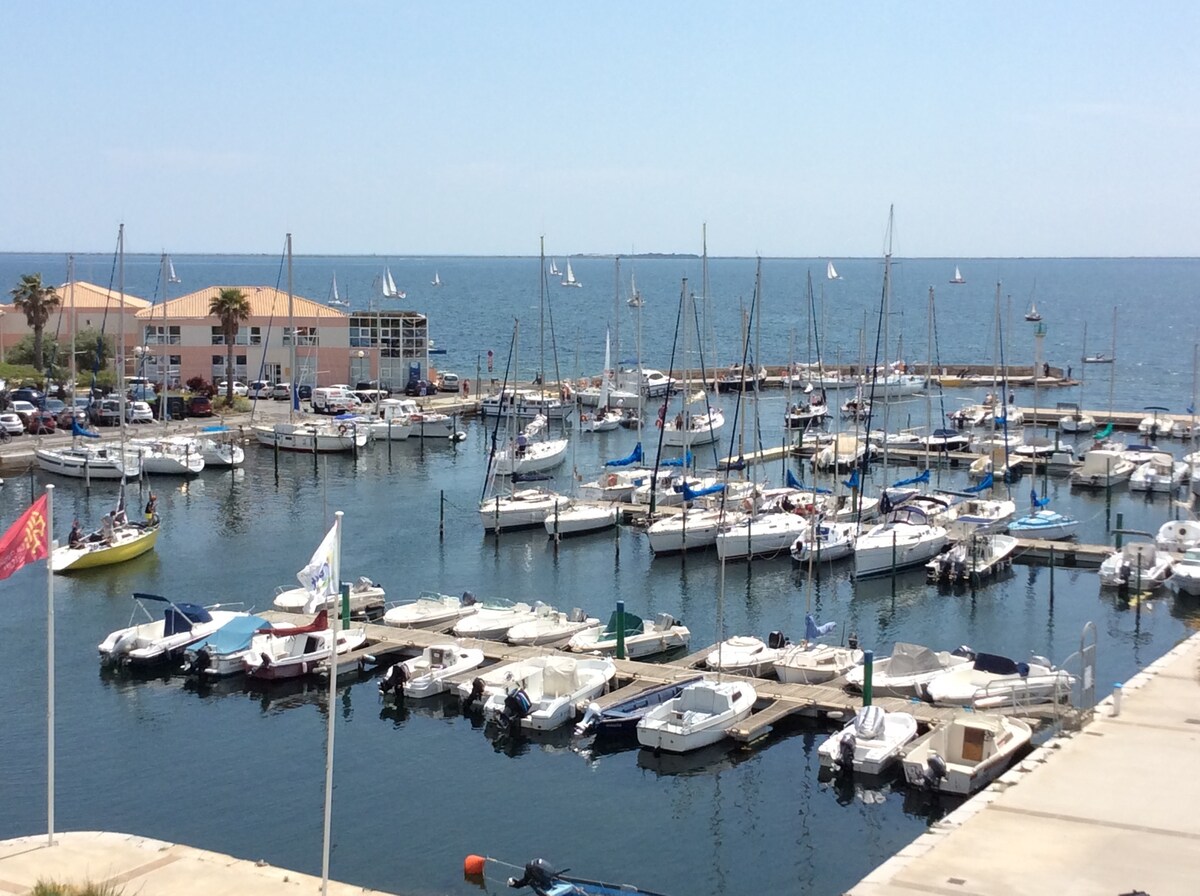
(473, 129)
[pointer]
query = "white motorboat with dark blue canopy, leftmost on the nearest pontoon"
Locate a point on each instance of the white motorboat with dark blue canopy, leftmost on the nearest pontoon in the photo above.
(166, 639)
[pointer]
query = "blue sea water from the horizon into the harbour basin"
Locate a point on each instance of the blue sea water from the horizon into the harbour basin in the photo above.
(239, 768)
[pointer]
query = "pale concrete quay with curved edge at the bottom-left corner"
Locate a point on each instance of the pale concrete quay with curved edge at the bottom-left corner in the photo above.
(148, 868)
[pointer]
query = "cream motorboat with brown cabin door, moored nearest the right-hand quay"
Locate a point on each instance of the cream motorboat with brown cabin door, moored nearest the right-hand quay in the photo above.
(965, 754)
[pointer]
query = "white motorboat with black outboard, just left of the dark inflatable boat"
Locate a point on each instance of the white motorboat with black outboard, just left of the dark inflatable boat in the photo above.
(539, 694)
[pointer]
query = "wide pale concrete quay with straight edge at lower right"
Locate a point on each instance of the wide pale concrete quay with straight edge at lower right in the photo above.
(1109, 810)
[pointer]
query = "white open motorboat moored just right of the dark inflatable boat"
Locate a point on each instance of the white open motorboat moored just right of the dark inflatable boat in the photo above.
(698, 718)
